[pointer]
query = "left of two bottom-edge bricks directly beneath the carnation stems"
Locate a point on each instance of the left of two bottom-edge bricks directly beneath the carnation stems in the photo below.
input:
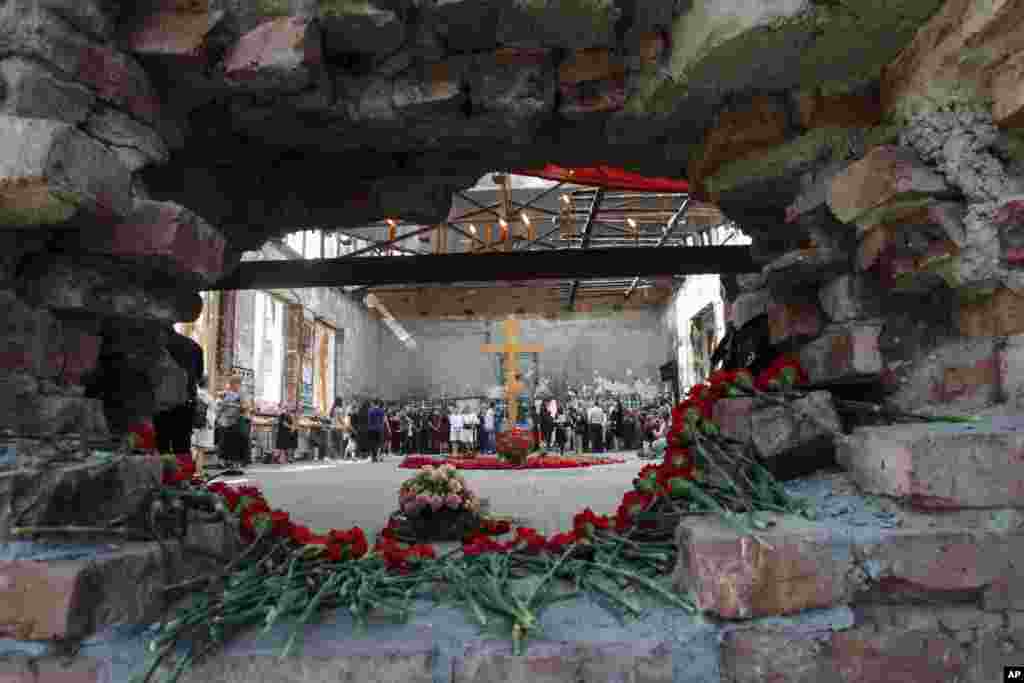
(327, 656)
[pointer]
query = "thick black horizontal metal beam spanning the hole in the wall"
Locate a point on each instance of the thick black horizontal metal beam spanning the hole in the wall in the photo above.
(554, 265)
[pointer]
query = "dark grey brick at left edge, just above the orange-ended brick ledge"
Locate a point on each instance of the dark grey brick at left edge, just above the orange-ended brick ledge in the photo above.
(81, 494)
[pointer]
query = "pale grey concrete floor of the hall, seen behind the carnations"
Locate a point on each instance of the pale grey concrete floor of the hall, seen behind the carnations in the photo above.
(364, 494)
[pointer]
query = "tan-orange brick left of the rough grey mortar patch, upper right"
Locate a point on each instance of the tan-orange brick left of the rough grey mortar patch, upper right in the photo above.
(885, 176)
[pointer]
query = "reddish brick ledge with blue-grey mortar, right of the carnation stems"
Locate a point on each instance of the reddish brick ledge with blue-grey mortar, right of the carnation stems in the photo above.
(816, 565)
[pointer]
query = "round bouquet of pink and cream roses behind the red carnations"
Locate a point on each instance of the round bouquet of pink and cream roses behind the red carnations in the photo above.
(438, 505)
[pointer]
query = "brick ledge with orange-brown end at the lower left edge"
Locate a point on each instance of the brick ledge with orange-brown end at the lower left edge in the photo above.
(117, 584)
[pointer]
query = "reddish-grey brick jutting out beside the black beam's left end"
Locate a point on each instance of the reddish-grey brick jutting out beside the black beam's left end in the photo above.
(167, 237)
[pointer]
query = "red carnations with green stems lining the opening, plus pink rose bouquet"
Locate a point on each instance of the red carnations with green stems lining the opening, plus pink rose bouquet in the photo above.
(290, 572)
